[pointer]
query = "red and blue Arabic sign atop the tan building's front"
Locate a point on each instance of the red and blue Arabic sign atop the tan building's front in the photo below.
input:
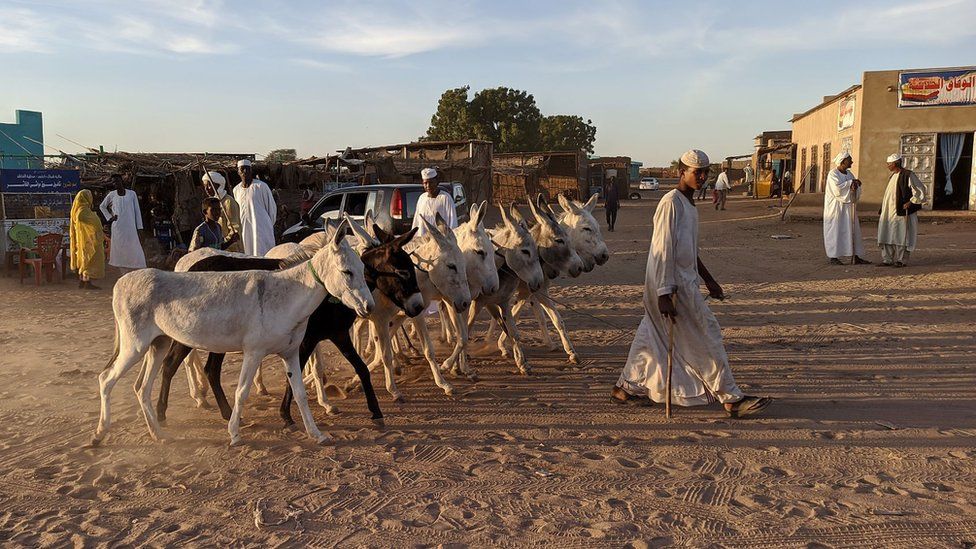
(923, 89)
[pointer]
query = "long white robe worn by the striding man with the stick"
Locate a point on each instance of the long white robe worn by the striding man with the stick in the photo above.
(701, 372)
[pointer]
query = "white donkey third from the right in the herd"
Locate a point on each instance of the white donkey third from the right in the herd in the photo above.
(518, 259)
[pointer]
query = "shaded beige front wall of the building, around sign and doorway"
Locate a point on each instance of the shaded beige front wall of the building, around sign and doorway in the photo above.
(883, 124)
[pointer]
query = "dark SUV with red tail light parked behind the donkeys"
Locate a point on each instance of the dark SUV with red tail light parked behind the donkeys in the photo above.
(392, 207)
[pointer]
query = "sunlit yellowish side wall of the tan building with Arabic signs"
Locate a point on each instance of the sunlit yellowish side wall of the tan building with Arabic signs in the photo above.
(820, 127)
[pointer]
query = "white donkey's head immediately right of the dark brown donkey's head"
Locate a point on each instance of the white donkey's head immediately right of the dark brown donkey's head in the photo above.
(440, 259)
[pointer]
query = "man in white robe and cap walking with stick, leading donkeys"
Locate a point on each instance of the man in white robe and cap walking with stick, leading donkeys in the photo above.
(673, 301)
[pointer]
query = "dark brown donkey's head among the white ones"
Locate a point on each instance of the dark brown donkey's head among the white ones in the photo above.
(389, 270)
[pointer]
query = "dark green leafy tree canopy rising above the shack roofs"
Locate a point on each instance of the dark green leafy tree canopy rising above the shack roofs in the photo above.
(508, 118)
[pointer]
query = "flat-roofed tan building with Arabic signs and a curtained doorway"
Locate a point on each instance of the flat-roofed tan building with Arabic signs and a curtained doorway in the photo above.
(927, 115)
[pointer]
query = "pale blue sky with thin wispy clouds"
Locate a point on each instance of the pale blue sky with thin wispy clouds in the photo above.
(655, 77)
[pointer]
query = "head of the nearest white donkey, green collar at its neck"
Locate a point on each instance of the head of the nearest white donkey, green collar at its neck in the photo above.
(342, 272)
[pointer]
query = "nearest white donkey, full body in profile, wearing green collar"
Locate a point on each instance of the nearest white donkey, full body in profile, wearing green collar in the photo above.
(259, 312)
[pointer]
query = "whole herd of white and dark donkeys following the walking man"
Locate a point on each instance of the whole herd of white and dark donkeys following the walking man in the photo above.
(336, 287)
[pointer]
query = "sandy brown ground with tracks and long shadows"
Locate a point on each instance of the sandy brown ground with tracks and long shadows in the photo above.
(870, 441)
